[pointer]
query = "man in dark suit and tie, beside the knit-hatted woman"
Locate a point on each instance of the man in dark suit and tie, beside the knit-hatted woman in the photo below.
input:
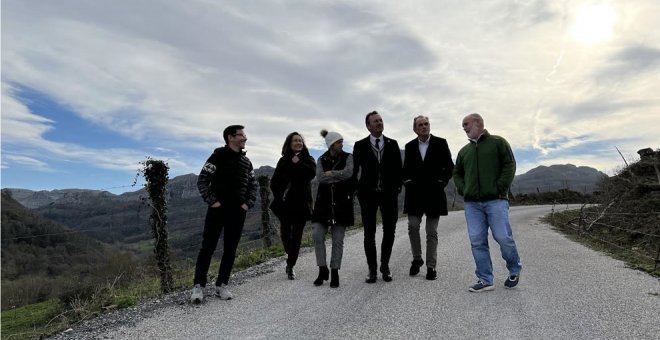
(377, 166)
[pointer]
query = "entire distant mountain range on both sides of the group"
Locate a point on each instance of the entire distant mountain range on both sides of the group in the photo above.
(123, 219)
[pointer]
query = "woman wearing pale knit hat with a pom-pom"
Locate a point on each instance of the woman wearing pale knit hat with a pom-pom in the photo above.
(334, 205)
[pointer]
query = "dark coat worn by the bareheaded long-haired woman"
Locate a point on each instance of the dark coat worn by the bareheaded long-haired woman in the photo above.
(291, 187)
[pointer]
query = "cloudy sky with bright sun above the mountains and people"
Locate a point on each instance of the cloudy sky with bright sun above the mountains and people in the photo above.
(91, 88)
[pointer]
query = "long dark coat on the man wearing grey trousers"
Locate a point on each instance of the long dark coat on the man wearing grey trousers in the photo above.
(425, 180)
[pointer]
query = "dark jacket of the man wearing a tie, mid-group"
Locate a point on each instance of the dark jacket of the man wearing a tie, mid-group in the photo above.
(389, 169)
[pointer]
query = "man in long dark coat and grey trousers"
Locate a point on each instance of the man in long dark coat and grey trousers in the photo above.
(426, 170)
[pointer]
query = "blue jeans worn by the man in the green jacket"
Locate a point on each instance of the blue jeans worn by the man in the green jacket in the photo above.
(493, 214)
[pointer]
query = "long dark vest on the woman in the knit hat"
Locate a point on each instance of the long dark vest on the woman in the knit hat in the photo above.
(334, 201)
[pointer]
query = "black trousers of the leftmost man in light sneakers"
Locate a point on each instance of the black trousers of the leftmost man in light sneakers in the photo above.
(231, 219)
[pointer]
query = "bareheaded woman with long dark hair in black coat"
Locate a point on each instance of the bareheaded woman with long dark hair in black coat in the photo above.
(292, 192)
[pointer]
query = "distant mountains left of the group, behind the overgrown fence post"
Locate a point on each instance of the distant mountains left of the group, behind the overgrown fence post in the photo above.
(122, 220)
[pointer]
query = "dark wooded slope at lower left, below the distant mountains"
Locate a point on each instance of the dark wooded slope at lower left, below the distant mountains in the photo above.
(42, 259)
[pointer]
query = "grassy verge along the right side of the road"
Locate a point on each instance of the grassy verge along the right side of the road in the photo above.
(606, 241)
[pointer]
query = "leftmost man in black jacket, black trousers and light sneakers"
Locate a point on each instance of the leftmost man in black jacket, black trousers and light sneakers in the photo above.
(228, 186)
